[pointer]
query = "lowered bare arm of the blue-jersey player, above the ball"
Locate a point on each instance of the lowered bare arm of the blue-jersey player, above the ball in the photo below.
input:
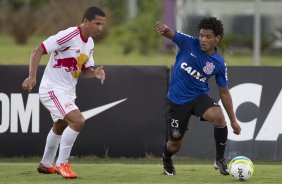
(228, 105)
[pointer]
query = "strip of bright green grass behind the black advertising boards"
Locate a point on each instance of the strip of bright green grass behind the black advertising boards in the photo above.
(110, 53)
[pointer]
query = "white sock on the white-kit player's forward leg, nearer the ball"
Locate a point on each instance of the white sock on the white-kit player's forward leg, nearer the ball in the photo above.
(68, 138)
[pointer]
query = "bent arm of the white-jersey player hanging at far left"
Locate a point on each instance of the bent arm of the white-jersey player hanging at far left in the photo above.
(35, 57)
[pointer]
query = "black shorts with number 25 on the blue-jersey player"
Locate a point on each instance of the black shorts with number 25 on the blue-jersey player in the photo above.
(178, 115)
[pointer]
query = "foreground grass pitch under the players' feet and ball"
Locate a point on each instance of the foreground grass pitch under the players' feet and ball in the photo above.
(133, 171)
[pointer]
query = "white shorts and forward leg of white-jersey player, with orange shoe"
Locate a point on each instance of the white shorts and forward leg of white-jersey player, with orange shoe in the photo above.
(69, 122)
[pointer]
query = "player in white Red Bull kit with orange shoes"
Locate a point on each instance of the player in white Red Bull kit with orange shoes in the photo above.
(71, 56)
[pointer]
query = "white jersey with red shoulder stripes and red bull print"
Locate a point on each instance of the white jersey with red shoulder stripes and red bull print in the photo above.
(70, 53)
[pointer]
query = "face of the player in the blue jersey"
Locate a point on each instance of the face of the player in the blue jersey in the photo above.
(208, 40)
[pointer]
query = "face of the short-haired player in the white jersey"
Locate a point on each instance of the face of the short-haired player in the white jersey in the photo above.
(95, 26)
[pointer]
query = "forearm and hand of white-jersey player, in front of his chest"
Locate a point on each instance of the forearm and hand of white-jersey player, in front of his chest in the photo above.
(97, 72)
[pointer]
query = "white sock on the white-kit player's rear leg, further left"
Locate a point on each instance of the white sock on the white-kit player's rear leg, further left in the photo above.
(51, 147)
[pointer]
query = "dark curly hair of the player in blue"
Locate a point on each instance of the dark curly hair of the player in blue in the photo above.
(212, 23)
